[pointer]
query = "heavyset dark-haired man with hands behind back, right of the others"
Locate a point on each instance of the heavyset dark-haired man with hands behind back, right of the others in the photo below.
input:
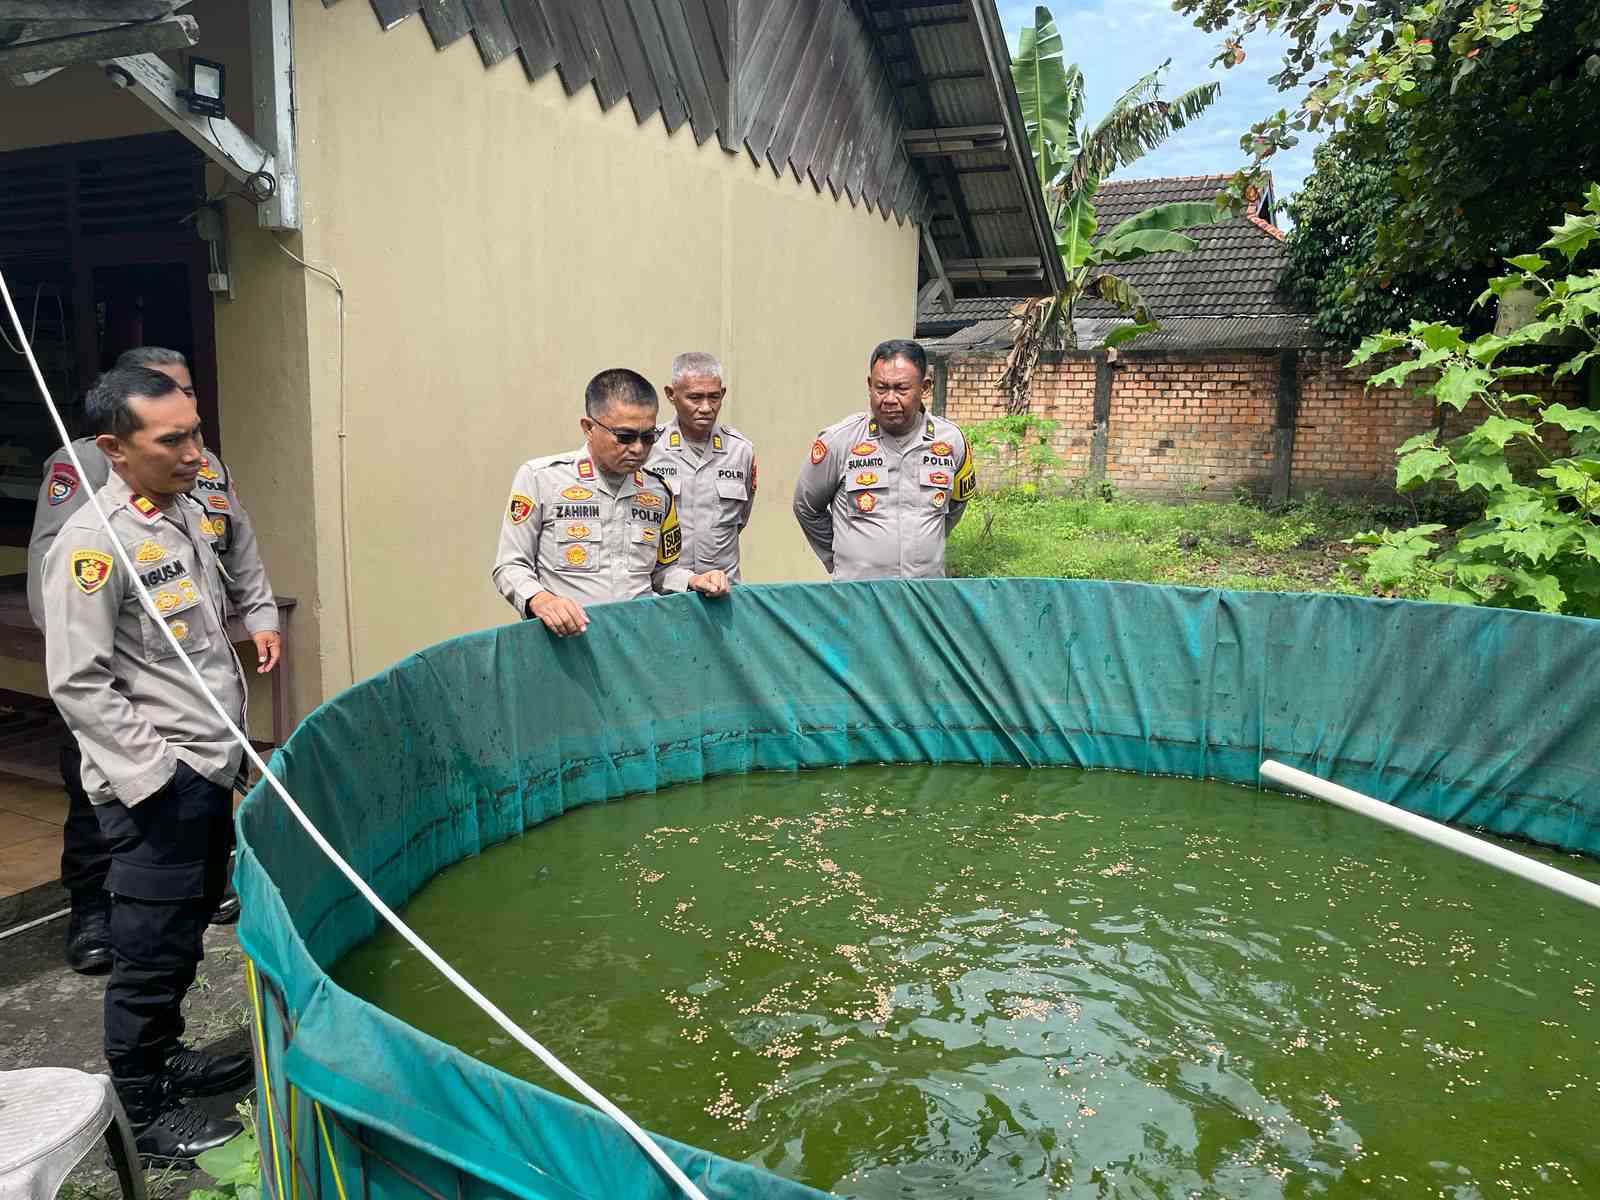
(886, 489)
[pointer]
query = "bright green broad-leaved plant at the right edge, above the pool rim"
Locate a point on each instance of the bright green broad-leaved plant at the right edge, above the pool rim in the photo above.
(1538, 543)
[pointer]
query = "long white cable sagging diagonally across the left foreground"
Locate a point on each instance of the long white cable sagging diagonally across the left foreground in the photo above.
(513, 1030)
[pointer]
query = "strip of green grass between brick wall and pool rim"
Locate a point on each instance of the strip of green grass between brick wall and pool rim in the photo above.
(1234, 545)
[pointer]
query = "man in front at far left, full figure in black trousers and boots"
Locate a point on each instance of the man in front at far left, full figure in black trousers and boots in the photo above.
(159, 766)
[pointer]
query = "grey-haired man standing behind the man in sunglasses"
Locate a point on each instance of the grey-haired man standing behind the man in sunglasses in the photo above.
(710, 466)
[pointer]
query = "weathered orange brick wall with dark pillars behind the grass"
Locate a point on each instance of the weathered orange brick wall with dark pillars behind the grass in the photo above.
(1206, 425)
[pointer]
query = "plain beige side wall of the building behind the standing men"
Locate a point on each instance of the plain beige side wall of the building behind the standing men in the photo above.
(500, 242)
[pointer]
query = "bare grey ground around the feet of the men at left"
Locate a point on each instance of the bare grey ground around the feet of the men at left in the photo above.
(52, 1018)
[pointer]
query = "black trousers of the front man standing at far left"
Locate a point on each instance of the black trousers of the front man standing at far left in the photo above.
(169, 868)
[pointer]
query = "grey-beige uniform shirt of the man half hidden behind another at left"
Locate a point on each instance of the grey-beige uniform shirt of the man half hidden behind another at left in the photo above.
(225, 524)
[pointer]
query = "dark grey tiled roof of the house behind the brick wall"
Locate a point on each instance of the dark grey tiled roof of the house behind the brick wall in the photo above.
(1234, 271)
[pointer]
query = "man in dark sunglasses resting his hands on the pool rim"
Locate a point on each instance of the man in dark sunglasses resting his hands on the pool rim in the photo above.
(596, 526)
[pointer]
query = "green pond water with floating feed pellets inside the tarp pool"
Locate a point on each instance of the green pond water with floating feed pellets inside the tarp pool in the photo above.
(913, 982)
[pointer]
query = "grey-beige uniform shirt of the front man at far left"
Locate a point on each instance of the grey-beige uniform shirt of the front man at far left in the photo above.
(121, 687)
